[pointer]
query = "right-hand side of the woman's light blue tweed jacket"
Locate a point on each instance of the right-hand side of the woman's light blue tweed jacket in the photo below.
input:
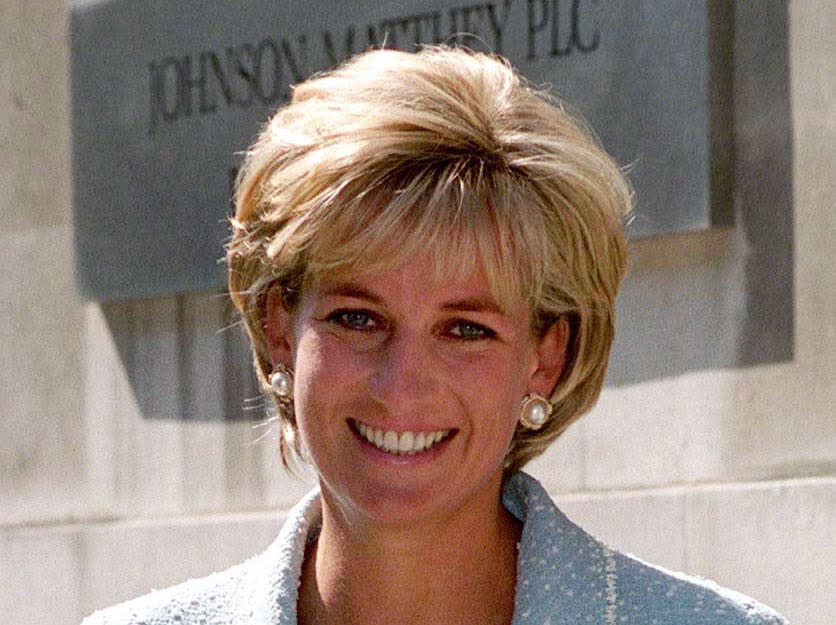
(564, 570)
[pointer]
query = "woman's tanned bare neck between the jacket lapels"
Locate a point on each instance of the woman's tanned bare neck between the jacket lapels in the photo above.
(458, 568)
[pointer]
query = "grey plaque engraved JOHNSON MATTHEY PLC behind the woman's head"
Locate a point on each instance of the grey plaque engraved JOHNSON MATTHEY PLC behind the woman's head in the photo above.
(165, 94)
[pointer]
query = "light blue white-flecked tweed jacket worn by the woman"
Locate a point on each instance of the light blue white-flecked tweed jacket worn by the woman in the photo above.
(564, 577)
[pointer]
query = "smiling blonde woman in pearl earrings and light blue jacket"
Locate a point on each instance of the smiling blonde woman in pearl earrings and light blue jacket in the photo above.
(426, 253)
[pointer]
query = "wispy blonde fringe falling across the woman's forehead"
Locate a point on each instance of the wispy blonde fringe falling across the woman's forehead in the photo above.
(455, 227)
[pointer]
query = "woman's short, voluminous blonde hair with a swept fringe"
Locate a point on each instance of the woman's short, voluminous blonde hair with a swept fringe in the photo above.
(445, 150)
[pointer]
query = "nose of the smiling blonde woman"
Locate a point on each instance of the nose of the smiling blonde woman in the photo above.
(405, 375)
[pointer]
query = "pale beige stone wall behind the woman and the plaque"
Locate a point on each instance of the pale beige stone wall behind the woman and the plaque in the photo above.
(118, 472)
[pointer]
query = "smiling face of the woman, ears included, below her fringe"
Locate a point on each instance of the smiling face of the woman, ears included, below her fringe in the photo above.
(407, 389)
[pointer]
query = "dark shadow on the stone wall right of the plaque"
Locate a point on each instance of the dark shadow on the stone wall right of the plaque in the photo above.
(725, 298)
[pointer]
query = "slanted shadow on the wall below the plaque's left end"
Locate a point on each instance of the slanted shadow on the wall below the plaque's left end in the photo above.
(186, 357)
